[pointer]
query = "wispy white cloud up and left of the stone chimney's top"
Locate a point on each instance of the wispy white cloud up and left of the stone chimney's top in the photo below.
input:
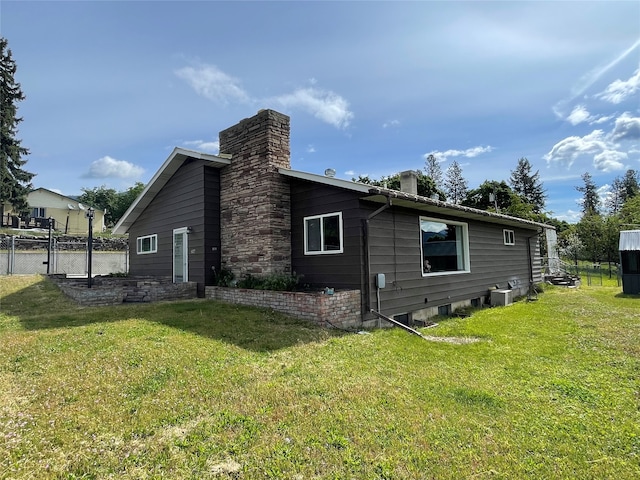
(214, 84)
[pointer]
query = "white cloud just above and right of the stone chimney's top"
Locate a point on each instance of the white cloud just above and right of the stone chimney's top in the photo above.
(324, 105)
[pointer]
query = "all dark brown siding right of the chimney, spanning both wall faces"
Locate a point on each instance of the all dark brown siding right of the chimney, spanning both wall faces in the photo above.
(394, 247)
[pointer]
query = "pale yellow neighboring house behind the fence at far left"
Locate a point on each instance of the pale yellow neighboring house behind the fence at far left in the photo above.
(68, 215)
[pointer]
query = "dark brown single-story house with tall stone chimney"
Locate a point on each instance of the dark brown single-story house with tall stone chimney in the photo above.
(245, 210)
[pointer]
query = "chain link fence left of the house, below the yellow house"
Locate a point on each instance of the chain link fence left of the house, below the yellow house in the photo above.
(33, 256)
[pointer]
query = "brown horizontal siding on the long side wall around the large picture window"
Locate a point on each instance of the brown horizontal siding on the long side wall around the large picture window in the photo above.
(395, 251)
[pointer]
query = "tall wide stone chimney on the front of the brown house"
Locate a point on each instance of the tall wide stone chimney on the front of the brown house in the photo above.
(255, 203)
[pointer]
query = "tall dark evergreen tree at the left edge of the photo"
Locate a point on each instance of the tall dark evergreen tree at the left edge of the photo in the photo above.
(15, 182)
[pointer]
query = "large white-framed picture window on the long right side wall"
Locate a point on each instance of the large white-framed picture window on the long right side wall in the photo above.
(444, 246)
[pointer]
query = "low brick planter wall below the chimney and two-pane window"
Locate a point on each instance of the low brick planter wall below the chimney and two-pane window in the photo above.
(342, 309)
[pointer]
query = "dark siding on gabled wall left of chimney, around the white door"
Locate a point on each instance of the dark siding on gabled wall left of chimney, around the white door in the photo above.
(191, 198)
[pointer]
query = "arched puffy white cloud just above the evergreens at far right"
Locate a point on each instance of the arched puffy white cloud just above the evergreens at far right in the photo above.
(604, 153)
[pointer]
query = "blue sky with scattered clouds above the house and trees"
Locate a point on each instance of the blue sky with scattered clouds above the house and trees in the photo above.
(372, 88)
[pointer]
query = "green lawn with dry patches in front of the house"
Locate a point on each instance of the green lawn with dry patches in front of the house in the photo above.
(198, 389)
